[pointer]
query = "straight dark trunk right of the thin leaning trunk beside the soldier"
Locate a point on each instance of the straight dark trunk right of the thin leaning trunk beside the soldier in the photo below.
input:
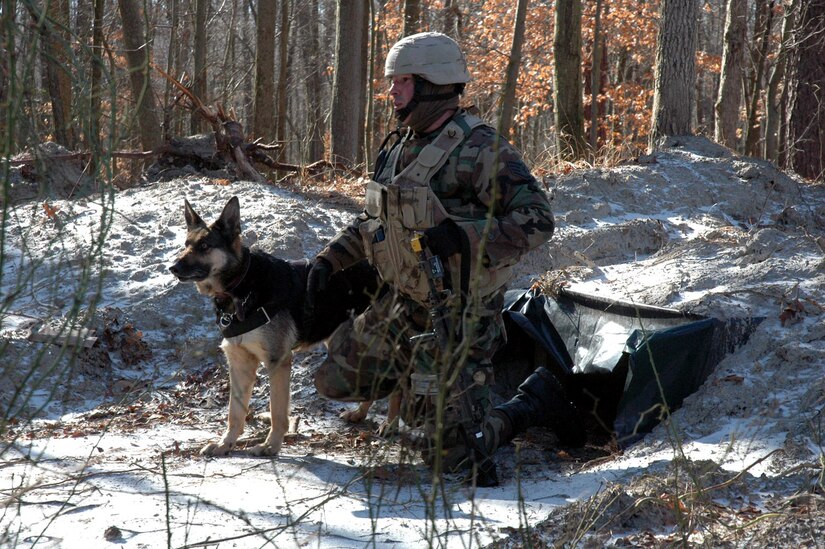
(567, 89)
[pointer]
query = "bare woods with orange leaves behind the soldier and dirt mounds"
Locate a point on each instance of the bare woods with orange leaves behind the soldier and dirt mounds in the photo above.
(106, 76)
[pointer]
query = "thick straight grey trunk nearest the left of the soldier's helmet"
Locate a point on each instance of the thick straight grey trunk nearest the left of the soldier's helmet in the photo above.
(349, 89)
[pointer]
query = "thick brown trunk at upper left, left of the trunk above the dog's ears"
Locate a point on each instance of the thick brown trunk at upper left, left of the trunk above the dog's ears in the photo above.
(57, 68)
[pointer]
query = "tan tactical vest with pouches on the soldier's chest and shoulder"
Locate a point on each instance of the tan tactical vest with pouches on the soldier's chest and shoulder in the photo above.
(406, 206)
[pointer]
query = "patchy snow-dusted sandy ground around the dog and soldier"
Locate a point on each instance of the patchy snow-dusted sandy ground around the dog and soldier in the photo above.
(116, 439)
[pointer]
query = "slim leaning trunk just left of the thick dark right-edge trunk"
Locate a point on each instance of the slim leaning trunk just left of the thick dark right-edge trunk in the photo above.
(776, 98)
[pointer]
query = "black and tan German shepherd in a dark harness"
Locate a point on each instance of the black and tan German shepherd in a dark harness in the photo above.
(259, 302)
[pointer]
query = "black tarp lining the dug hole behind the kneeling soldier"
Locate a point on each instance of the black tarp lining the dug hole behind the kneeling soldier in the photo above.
(619, 361)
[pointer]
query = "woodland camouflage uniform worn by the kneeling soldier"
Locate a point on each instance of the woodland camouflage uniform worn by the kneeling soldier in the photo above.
(486, 189)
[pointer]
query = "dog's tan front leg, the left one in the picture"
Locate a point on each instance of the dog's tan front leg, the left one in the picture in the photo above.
(242, 372)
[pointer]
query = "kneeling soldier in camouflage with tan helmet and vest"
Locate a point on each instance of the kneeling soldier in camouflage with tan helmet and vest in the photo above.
(451, 178)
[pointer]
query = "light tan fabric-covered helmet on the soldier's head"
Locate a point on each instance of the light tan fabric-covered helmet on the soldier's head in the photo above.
(431, 55)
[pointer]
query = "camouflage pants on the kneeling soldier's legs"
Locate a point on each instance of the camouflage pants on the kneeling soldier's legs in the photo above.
(369, 355)
